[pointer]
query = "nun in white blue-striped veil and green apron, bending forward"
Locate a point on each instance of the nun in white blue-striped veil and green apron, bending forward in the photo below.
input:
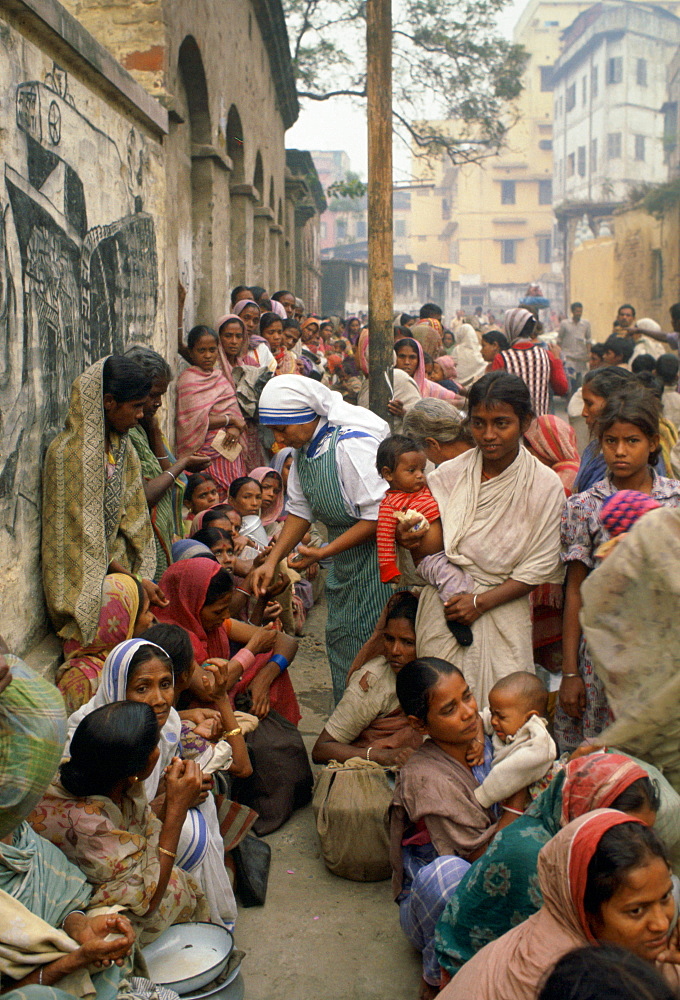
(334, 480)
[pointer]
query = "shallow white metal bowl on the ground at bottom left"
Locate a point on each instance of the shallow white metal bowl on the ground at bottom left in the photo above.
(187, 957)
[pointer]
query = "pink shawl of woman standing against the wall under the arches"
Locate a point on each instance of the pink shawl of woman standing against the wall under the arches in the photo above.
(199, 395)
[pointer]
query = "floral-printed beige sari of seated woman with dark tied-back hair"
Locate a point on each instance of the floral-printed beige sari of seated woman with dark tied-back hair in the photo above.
(116, 848)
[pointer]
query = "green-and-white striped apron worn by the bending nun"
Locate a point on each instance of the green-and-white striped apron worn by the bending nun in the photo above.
(354, 592)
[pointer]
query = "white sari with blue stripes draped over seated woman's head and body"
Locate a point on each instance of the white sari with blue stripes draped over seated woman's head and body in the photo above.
(201, 848)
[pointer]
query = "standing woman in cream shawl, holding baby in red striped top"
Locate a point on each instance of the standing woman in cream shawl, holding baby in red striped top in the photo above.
(500, 510)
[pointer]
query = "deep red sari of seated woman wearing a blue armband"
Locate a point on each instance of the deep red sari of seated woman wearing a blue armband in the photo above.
(185, 584)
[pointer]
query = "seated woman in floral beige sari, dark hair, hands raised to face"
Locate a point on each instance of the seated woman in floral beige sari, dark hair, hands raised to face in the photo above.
(96, 812)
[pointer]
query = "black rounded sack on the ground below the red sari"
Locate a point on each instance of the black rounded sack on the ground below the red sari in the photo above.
(282, 778)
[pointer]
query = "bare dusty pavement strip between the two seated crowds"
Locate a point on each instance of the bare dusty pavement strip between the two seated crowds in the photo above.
(320, 937)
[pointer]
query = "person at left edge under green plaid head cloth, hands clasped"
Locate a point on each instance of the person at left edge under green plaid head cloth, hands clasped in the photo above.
(46, 937)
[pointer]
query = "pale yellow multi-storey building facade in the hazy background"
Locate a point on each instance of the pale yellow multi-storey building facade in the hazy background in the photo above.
(491, 223)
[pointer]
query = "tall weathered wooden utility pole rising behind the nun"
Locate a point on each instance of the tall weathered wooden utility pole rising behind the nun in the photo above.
(380, 261)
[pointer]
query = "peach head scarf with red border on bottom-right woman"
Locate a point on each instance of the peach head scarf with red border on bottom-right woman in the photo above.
(512, 967)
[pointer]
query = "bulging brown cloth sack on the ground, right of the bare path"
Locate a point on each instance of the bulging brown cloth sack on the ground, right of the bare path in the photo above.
(351, 804)
